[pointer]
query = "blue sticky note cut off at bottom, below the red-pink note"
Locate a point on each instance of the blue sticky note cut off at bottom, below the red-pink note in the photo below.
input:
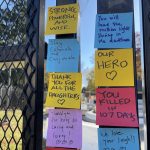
(118, 139)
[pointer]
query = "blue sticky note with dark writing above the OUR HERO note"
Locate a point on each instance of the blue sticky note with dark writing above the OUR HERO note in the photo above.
(114, 30)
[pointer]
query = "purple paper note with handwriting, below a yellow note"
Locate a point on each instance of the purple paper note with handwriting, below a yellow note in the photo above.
(64, 128)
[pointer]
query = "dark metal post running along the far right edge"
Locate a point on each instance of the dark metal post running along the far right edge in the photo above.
(146, 43)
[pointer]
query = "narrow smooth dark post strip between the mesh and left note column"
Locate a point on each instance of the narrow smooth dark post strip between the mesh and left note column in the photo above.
(40, 4)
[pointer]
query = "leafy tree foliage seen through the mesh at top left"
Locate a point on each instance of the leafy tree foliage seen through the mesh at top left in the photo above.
(12, 22)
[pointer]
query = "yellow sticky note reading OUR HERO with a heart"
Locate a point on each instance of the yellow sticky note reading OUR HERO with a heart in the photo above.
(114, 67)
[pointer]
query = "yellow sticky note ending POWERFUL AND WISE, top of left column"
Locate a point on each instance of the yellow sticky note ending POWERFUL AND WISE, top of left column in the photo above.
(62, 19)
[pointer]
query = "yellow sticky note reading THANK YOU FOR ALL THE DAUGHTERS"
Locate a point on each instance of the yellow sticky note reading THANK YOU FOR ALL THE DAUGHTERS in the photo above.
(64, 90)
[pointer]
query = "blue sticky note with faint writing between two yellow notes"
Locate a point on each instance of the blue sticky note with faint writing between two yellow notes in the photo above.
(63, 55)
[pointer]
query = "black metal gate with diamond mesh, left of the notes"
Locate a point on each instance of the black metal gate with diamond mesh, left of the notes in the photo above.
(21, 74)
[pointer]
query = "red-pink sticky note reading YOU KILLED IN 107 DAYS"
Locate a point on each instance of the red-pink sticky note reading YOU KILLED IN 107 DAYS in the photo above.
(116, 107)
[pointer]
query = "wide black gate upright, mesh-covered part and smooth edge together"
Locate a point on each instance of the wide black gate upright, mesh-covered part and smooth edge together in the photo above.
(34, 65)
